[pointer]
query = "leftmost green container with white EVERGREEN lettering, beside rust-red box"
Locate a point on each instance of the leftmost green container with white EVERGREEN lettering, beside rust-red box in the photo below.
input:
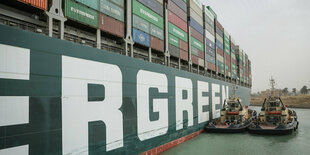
(81, 13)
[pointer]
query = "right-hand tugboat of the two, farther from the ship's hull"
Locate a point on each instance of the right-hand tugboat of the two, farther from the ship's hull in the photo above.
(275, 117)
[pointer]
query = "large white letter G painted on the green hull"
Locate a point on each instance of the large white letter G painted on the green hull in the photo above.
(148, 129)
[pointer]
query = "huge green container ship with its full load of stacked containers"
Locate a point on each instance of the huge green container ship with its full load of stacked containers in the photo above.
(112, 76)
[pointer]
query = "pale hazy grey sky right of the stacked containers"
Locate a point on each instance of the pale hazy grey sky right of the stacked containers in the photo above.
(276, 36)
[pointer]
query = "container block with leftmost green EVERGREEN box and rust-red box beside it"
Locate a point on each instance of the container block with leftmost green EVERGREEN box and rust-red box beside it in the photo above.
(108, 15)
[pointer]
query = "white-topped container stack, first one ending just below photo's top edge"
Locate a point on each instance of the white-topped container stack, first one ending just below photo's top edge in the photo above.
(209, 17)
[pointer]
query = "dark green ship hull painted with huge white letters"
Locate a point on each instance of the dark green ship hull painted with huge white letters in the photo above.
(58, 97)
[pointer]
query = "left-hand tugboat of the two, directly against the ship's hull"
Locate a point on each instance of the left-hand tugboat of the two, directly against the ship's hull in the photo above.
(234, 117)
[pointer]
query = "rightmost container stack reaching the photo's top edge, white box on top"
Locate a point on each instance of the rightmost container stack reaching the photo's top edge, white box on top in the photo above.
(197, 31)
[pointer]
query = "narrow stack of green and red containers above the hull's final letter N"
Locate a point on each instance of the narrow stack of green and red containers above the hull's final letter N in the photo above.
(227, 54)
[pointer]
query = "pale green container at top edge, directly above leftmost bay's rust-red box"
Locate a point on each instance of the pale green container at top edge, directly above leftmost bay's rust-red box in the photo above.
(112, 10)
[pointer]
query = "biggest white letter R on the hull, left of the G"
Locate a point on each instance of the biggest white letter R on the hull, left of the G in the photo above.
(77, 111)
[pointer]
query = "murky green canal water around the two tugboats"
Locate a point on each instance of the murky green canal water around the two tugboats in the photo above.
(248, 144)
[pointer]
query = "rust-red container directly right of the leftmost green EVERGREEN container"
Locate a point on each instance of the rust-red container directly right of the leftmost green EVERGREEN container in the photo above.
(111, 25)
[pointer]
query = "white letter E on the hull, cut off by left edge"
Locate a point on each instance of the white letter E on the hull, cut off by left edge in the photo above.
(14, 110)
